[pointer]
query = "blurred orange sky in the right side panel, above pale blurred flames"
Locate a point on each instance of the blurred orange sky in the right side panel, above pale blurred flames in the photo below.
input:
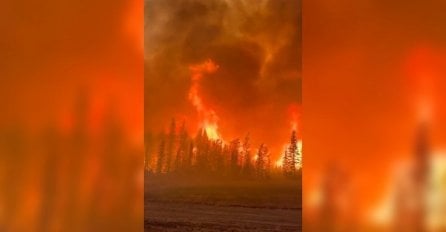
(366, 65)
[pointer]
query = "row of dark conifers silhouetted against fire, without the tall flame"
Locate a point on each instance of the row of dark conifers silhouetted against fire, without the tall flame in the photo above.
(178, 152)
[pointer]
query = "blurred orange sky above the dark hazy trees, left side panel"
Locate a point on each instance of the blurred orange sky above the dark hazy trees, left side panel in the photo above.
(51, 55)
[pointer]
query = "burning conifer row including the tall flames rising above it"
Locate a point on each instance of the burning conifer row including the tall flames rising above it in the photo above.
(207, 153)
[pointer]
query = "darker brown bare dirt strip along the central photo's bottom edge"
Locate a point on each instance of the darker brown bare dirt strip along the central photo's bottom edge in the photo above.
(163, 216)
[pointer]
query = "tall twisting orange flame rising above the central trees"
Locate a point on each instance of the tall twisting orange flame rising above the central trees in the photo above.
(207, 116)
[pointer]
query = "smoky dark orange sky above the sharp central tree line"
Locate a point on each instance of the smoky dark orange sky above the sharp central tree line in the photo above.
(256, 46)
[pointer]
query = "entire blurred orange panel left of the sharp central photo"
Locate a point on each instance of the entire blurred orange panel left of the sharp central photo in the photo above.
(52, 52)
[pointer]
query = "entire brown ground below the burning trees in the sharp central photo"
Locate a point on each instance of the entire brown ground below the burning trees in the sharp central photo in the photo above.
(211, 206)
